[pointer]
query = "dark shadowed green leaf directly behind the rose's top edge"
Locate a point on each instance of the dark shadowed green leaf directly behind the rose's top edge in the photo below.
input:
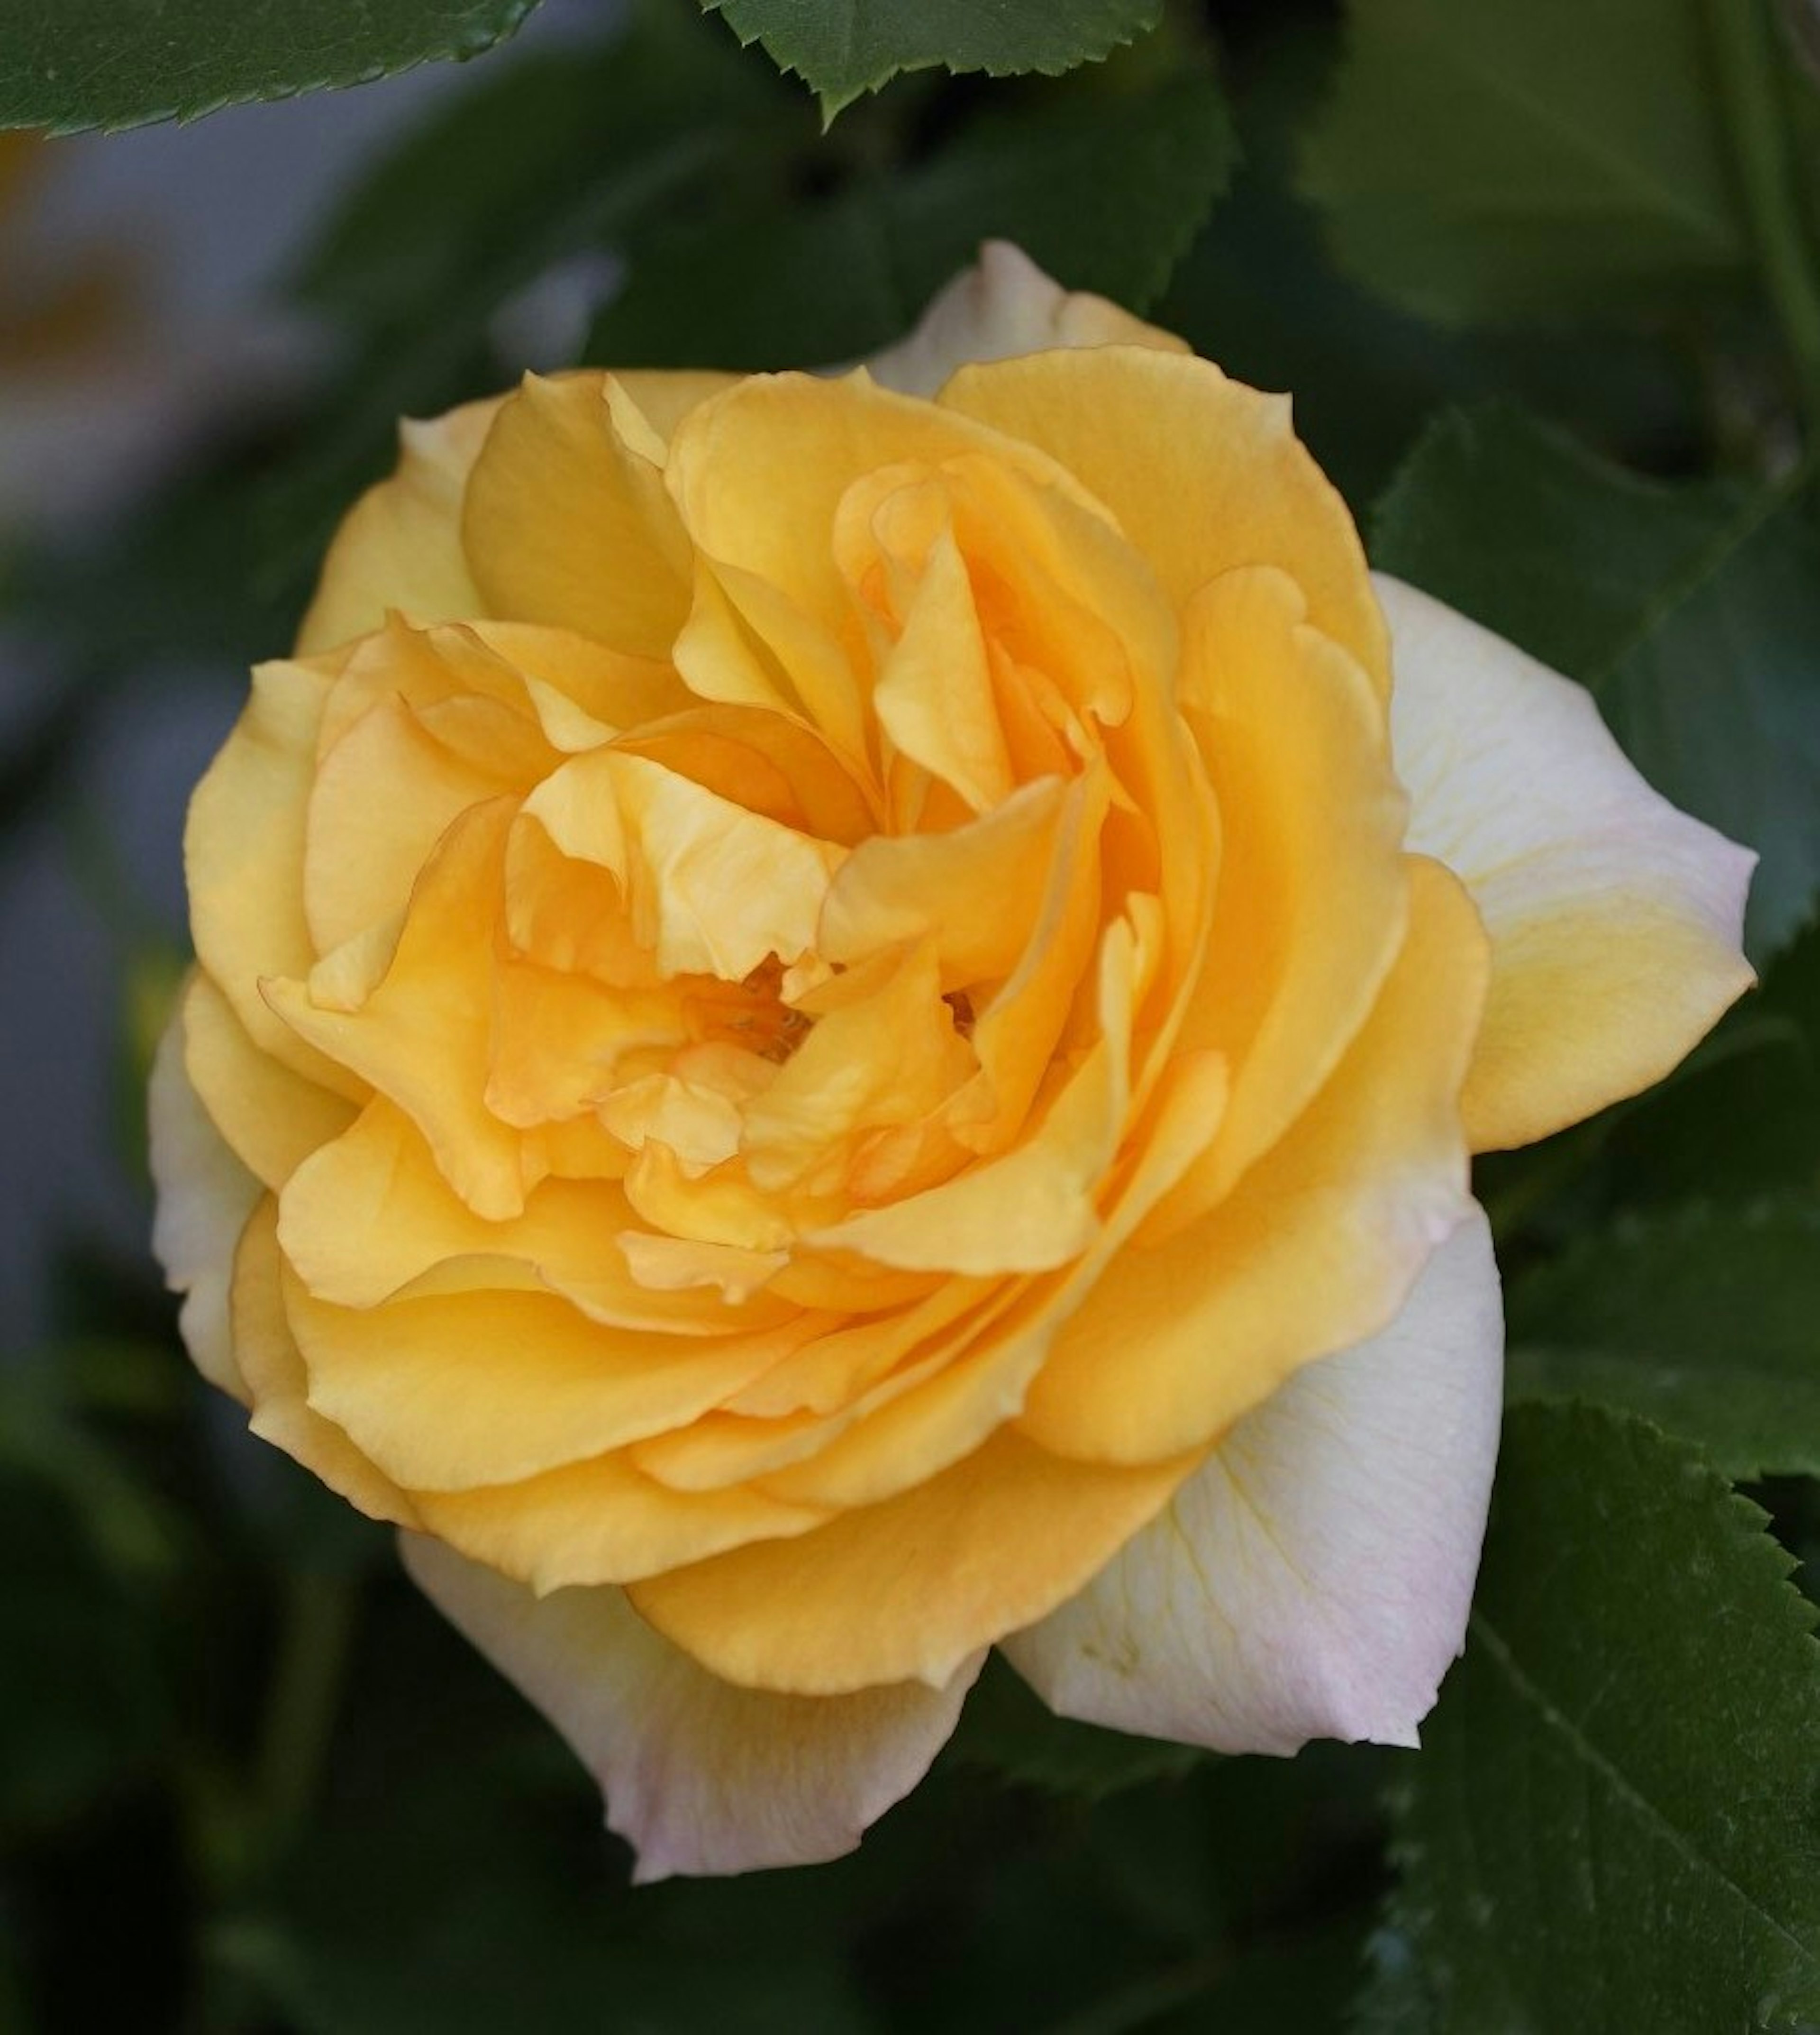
(1106, 192)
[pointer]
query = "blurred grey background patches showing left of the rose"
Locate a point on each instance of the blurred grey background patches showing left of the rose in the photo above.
(205, 223)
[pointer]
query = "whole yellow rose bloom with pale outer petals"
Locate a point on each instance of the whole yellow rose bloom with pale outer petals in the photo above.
(842, 1021)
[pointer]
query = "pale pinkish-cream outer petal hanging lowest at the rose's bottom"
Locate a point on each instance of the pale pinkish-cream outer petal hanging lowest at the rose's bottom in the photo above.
(699, 1776)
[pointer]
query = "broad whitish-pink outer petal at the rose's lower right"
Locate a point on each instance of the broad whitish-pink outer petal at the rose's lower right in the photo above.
(1312, 1580)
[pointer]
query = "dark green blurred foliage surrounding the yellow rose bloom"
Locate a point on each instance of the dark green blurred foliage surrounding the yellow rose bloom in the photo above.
(1546, 284)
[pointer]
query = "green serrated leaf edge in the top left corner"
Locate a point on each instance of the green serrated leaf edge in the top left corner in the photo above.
(113, 64)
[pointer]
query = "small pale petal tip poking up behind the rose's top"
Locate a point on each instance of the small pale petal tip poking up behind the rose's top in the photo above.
(1005, 306)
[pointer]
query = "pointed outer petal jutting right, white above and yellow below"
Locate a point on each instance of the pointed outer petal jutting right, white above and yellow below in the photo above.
(1615, 919)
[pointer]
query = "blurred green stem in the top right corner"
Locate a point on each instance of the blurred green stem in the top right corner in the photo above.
(1756, 119)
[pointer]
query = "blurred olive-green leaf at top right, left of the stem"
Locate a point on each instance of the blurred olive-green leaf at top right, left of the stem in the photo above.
(1483, 162)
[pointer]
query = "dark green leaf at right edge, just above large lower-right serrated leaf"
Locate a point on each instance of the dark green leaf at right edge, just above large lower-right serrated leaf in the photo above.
(1707, 1322)
